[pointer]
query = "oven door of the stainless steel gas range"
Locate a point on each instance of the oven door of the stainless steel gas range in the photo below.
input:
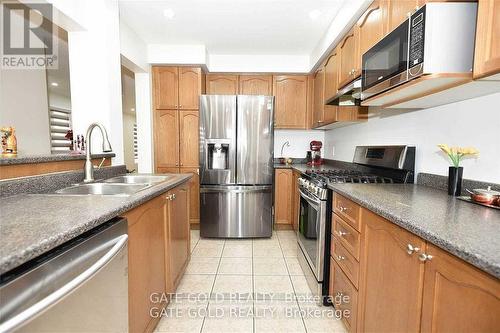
(311, 232)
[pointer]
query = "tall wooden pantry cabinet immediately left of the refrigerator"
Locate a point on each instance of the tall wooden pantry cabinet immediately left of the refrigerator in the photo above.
(176, 95)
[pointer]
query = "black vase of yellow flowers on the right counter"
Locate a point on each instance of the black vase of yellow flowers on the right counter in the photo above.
(456, 154)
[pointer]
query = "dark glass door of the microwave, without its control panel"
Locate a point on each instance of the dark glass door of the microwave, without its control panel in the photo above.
(385, 65)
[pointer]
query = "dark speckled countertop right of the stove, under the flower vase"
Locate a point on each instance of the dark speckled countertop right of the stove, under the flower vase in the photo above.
(469, 231)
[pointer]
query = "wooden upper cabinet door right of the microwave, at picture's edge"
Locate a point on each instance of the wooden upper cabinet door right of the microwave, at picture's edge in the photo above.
(487, 56)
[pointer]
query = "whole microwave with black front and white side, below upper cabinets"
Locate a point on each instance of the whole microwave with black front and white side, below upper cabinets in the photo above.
(437, 38)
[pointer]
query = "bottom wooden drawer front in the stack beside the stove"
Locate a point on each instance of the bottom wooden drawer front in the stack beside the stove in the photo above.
(342, 287)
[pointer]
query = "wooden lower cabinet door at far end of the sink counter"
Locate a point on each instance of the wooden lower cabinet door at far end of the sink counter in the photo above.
(177, 234)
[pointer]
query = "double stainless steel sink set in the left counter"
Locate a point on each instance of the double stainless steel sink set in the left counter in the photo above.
(117, 186)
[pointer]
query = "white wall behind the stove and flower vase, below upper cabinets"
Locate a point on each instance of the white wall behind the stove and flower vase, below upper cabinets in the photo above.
(474, 122)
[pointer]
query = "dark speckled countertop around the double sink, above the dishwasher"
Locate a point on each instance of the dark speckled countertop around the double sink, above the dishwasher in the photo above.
(32, 224)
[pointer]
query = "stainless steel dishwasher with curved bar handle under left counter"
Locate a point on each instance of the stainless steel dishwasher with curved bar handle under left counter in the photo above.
(81, 286)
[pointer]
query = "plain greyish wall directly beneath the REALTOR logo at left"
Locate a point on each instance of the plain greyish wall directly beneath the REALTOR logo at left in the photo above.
(24, 105)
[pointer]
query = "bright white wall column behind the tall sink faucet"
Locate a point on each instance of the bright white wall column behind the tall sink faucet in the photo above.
(94, 55)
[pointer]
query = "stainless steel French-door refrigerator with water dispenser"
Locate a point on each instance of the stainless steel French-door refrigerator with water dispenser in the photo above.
(236, 165)
